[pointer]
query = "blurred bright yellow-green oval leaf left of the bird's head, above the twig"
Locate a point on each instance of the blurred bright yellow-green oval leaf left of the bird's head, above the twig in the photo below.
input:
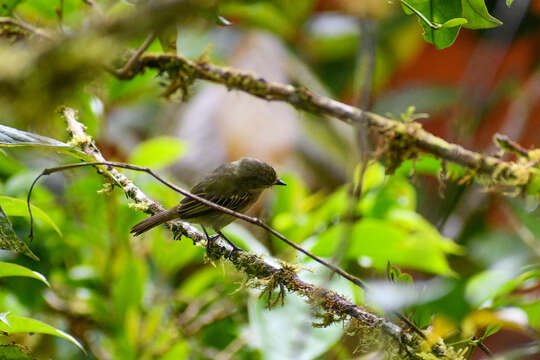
(158, 152)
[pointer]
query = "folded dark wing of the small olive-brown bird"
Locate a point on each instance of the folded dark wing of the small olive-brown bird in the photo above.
(191, 208)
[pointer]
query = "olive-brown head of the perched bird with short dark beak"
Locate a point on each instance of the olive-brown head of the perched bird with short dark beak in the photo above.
(256, 174)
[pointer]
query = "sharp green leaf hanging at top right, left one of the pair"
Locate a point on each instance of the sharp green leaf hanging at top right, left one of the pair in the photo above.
(437, 12)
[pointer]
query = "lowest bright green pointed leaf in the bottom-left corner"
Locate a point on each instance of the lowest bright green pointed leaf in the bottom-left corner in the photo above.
(13, 324)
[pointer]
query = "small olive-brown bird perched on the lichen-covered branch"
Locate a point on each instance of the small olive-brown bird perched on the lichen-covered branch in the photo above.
(235, 185)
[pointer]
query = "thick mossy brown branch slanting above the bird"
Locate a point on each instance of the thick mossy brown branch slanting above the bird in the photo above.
(409, 137)
